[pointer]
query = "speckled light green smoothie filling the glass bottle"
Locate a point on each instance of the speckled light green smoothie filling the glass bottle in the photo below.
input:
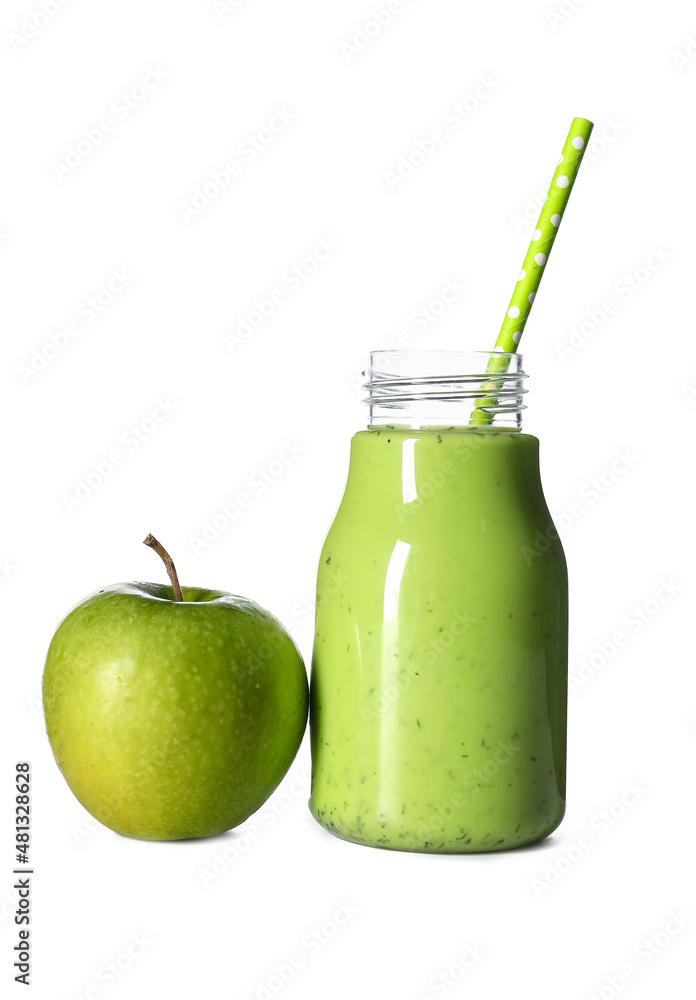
(439, 680)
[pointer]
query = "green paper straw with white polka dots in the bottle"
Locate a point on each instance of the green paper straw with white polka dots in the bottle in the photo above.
(537, 257)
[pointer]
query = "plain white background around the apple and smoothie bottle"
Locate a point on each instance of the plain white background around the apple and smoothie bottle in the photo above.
(625, 388)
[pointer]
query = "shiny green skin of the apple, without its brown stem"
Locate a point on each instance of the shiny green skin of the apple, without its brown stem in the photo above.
(169, 719)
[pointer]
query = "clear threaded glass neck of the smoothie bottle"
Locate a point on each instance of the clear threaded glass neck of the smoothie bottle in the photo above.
(445, 389)
